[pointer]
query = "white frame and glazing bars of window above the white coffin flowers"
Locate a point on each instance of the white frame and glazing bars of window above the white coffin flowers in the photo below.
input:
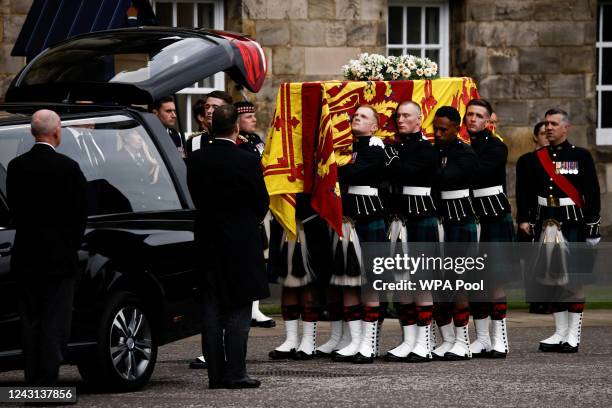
(444, 24)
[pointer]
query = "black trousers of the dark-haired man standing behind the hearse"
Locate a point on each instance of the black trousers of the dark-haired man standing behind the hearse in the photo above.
(225, 332)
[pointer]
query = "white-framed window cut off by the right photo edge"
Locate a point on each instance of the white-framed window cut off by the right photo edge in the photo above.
(604, 77)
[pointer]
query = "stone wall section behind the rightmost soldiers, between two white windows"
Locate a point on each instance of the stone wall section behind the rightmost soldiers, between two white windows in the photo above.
(528, 56)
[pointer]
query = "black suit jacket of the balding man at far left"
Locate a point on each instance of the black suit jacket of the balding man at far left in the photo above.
(47, 199)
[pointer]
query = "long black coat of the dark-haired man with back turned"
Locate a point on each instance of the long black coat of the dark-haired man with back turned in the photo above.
(227, 187)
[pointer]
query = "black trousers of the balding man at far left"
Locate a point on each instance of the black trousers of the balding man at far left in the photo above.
(45, 306)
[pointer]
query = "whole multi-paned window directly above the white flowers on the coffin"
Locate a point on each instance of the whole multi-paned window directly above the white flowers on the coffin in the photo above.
(421, 29)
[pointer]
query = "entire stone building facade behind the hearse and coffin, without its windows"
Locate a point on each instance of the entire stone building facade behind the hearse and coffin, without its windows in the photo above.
(526, 56)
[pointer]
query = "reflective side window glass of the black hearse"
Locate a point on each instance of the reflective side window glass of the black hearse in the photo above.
(123, 168)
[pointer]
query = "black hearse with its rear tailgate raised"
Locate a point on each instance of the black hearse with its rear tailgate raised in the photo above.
(138, 280)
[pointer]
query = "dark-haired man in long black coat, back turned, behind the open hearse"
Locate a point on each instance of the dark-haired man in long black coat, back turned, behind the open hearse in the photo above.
(227, 187)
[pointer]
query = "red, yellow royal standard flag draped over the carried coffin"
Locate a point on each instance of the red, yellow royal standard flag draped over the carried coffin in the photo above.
(311, 135)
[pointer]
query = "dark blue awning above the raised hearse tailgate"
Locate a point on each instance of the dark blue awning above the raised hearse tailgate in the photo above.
(51, 21)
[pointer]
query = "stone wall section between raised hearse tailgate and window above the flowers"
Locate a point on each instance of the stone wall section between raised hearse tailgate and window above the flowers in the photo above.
(309, 40)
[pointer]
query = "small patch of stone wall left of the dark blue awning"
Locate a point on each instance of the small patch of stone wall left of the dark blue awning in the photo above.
(12, 16)
